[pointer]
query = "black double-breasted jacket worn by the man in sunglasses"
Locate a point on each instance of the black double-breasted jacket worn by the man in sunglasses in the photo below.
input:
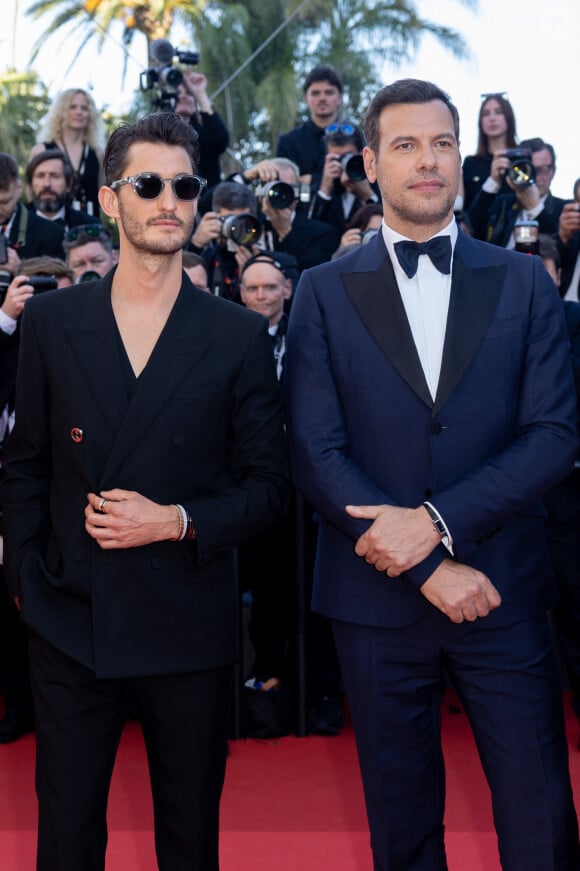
(203, 427)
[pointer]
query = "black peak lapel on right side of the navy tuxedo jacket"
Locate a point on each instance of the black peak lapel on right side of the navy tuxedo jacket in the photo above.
(475, 291)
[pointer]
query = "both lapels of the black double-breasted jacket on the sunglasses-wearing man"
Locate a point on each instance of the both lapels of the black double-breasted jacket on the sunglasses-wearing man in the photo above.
(95, 344)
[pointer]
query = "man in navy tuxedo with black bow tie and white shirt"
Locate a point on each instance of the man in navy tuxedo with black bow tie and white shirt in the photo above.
(431, 403)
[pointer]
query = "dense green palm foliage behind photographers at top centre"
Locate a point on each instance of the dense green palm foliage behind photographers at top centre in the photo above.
(354, 36)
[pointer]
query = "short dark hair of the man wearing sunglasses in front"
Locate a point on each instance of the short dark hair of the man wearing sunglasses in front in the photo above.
(166, 128)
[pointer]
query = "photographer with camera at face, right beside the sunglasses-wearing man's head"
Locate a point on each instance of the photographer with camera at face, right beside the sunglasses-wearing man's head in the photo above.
(224, 244)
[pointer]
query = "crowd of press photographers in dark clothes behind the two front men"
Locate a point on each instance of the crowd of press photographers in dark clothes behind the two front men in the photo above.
(255, 232)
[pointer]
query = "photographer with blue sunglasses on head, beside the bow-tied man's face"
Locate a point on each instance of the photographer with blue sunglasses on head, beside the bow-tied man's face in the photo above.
(344, 187)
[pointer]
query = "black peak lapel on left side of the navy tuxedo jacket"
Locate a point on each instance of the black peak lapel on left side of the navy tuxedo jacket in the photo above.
(376, 298)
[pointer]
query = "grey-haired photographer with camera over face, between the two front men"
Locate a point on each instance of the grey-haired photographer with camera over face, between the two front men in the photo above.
(288, 228)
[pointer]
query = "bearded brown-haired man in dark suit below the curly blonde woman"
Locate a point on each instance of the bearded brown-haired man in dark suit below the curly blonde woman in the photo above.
(49, 179)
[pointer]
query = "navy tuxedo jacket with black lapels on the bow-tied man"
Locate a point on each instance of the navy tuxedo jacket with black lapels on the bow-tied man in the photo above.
(363, 428)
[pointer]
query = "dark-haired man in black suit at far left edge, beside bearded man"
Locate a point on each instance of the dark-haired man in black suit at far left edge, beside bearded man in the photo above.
(26, 235)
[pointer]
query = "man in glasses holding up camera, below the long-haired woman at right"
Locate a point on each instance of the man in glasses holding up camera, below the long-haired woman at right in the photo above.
(492, 214)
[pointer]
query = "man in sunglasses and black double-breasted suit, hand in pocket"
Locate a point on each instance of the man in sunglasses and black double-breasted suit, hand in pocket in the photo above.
(148, 443)
